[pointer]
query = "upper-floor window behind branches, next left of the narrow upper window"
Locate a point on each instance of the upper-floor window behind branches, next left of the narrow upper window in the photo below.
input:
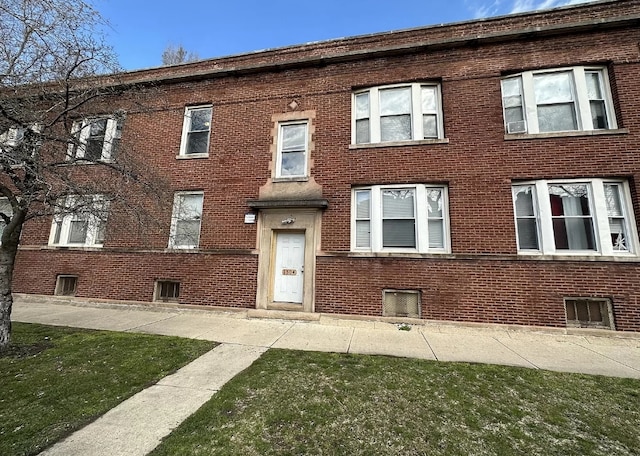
(97, 139)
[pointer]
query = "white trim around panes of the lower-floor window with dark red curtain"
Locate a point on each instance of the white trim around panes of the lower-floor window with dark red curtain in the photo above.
(599, 214)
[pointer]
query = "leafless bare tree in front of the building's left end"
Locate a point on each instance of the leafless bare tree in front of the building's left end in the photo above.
(57, 86)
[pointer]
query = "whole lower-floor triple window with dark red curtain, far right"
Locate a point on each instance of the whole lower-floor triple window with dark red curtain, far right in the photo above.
(587, 216)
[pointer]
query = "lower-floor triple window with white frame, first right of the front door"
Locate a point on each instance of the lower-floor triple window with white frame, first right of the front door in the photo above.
(400, 218)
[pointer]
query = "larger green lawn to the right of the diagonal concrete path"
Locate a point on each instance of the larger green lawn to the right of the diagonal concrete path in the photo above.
(303, 403)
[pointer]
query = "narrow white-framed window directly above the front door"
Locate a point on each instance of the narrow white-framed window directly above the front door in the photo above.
(293, 140)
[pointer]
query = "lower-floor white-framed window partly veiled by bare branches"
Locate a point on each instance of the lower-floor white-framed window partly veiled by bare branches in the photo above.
(80, 222)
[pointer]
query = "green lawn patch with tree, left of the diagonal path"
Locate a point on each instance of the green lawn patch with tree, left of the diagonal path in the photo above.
(54, 380)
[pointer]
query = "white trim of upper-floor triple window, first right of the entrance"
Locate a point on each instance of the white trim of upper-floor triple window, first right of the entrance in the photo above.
(417, 133)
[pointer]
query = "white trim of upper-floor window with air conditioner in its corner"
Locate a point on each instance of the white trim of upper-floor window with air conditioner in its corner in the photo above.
(581, 100)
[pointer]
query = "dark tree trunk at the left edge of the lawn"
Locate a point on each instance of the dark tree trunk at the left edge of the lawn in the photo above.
(8, 251)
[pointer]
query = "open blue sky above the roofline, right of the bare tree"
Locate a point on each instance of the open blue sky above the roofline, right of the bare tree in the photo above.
(140, 30)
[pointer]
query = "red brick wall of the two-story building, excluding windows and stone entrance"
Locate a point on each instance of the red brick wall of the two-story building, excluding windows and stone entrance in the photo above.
(484, 280)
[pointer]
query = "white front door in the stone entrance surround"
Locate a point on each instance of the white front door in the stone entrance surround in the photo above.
(288, 278)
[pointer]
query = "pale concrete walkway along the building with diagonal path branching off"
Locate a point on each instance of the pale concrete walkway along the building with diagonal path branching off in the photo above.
(137, 425)
